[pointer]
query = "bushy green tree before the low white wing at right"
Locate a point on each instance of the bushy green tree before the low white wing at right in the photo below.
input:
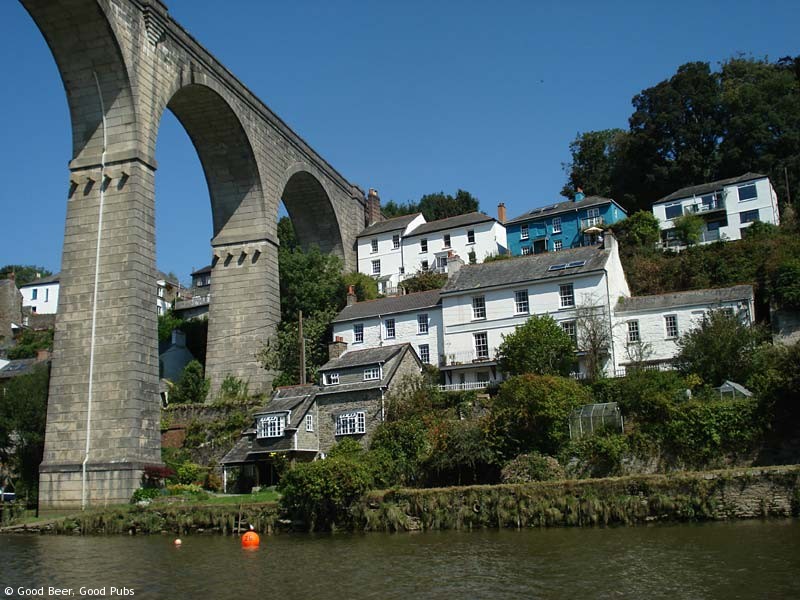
(721, 348)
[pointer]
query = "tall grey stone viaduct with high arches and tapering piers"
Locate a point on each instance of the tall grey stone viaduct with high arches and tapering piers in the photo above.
(123, 62)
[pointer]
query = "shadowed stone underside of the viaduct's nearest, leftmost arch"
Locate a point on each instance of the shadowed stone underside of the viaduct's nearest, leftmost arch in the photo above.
(84, 46)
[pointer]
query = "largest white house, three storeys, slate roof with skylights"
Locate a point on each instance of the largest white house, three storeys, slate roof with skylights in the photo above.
(482, 303)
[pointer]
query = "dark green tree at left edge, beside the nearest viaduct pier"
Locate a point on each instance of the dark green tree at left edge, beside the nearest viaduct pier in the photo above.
(23, 412)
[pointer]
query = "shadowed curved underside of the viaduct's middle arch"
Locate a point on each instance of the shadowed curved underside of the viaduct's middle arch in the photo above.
(228, 160)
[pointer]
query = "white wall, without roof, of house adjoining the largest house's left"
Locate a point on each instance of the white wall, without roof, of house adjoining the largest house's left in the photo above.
(407, 330)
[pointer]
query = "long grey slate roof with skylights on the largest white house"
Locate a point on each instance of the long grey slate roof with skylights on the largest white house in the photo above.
(525, 268)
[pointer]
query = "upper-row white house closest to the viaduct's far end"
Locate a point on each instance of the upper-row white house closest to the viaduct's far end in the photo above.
(380, 250)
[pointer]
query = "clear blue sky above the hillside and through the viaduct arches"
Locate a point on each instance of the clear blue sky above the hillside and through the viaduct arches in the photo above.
(408, 97)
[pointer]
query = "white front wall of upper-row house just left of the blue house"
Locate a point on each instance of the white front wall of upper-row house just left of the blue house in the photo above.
(489, 236)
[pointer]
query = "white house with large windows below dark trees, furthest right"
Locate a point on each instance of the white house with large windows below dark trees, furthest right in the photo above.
(727, 206)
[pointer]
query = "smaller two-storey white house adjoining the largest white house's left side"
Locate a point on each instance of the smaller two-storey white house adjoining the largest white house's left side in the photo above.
(414, 319)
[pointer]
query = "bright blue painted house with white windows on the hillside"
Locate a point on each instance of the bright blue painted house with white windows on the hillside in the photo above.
(568, 224)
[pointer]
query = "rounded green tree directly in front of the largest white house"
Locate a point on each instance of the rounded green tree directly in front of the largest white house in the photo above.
(539, 346)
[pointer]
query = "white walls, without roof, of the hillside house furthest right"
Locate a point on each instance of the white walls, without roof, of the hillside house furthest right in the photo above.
(738, 215)
